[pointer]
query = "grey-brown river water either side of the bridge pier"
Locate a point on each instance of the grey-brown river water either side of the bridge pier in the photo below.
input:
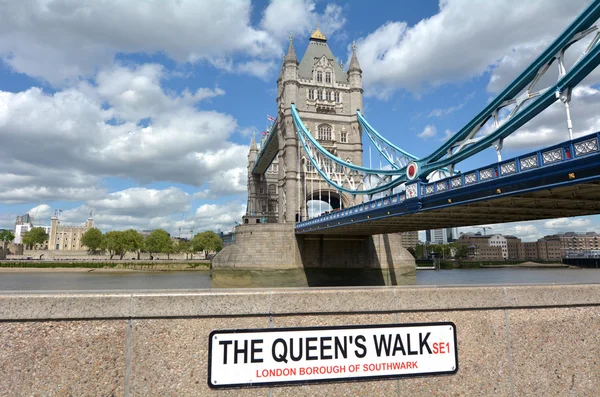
(31, 281)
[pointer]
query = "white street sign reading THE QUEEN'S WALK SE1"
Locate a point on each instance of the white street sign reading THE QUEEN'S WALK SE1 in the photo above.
(262, 357)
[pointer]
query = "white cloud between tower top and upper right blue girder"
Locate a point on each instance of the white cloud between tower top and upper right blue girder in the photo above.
(463, 40)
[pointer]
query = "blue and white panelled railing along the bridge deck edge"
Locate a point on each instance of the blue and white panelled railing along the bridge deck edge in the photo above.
(547, 157)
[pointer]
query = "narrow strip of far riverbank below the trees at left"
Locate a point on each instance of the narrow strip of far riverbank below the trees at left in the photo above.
(108, 266)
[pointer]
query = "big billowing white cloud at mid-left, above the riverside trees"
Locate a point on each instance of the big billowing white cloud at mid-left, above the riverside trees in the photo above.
(59, 146)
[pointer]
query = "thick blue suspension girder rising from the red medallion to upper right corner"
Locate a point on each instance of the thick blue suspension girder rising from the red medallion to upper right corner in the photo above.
(463, 145)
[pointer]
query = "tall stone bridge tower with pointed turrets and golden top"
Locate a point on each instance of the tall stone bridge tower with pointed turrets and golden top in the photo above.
(327, 98)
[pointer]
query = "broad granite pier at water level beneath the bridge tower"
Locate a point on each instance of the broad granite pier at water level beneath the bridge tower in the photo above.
(266, 255)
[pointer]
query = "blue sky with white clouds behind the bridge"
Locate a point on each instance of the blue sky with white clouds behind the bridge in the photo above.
(143, 111)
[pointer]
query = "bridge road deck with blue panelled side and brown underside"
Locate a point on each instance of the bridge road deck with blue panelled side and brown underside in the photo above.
(559, 181)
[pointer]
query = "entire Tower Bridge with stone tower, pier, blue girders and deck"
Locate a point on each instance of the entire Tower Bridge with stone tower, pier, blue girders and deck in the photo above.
(314, 151)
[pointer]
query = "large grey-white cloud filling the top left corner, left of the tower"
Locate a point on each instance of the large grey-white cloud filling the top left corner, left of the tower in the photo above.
(63, 40)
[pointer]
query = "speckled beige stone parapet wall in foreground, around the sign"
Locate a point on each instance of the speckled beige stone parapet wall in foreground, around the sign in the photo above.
(512, 341)
